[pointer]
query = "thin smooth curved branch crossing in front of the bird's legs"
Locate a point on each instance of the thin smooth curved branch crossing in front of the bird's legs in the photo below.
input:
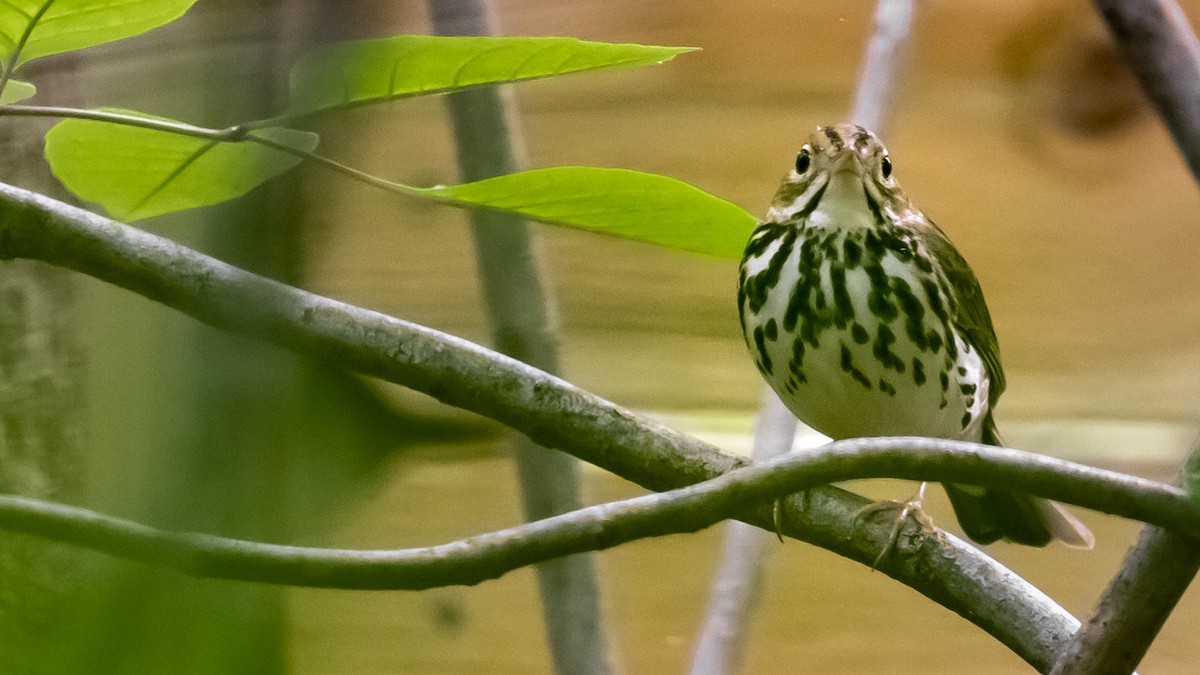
(686, 510)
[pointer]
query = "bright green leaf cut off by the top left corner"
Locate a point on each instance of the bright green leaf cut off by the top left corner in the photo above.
(39, 28)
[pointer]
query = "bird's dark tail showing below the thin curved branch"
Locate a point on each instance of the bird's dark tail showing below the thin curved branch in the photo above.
(988, 515)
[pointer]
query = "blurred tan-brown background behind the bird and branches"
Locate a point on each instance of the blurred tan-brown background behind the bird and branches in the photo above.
(1016, 128)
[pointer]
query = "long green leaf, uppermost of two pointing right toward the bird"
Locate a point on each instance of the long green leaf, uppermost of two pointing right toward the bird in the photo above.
(407, 65)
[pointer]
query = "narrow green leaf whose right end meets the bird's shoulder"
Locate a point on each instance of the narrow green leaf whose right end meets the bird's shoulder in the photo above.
(622, 202)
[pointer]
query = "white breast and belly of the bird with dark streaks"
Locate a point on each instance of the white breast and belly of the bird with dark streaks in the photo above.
(867, 351)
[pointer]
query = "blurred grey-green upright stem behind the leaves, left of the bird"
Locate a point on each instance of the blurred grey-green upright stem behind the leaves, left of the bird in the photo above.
(521, 318)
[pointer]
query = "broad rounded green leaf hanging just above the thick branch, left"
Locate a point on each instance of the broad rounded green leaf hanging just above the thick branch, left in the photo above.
(139, 174)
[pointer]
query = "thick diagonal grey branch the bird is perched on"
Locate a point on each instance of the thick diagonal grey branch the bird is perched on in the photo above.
(547, 409)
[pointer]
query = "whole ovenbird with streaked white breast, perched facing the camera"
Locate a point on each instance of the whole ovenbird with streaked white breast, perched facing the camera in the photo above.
(867, 321)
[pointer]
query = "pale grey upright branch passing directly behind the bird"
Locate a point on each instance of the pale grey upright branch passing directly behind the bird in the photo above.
(739, 582)
